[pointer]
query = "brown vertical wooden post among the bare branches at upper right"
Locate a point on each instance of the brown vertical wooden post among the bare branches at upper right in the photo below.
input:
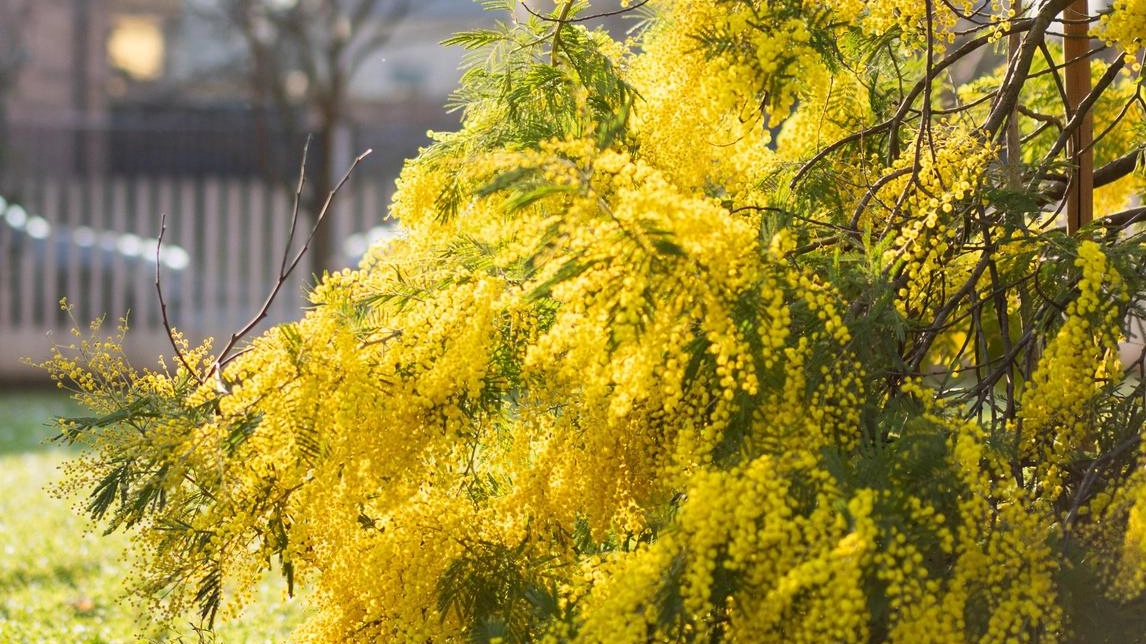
(1077, 44)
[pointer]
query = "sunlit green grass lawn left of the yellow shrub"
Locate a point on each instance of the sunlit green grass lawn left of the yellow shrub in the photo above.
(64, 583)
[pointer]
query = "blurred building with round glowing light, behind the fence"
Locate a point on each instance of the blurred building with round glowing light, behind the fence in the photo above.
(162, 88)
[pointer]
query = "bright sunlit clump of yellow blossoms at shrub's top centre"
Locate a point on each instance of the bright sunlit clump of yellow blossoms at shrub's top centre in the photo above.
(723, 104)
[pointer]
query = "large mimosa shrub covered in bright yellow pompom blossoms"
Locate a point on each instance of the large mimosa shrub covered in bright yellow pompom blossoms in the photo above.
(751, 328)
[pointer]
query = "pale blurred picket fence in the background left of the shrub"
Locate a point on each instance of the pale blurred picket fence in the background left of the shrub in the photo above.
(93, 242)
